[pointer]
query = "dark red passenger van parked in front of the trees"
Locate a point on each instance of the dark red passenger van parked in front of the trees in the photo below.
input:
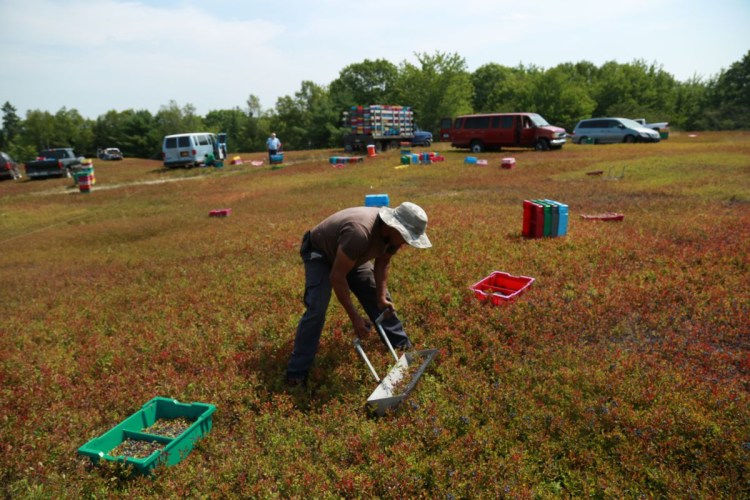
(493, 131)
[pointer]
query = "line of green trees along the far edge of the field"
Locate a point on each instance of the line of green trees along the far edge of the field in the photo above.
(438, 85)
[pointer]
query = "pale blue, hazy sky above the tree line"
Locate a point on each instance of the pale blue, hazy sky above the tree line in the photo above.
(101, 55)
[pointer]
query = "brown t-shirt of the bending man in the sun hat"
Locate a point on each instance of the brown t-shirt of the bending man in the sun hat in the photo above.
(356, 230)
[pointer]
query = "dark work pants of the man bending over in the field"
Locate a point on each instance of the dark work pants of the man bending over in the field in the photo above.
(318, 292)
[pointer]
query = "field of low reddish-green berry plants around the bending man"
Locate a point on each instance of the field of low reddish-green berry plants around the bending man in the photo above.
(623, 371)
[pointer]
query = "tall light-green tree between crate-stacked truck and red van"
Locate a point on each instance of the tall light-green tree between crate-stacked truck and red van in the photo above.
(439, 87)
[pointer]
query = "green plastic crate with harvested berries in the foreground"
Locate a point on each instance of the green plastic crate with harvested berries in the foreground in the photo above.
(171, 450)
